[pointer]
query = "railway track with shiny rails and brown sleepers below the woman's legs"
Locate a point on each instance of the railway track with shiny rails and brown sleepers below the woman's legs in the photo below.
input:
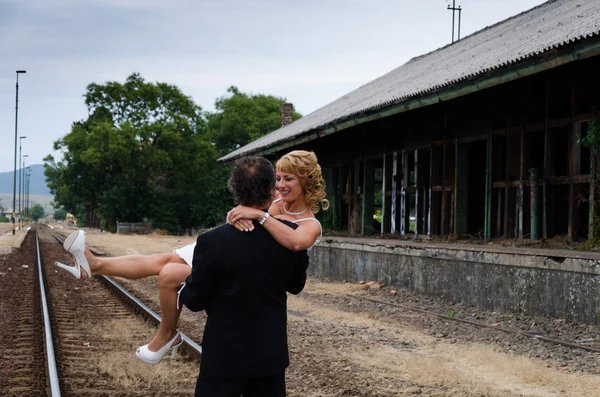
(82, 343)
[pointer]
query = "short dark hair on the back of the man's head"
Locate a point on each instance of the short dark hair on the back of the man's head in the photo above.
(252, 181)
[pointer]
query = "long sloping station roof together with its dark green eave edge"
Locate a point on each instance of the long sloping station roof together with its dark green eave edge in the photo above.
(552, 34)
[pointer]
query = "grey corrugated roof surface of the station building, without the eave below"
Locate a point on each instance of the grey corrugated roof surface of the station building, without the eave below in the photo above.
(545, 27)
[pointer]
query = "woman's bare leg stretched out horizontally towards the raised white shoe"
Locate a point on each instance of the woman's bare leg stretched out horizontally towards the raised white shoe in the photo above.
(132, 266)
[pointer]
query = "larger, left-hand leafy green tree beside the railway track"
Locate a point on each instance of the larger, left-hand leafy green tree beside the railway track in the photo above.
(140, 141)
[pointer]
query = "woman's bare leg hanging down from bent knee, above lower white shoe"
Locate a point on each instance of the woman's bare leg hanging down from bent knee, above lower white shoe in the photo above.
(169, 282)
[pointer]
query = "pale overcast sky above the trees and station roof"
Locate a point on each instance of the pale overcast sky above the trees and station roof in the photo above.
(308, 51)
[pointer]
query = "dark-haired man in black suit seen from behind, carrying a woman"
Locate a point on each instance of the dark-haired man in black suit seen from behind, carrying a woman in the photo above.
(241, 280)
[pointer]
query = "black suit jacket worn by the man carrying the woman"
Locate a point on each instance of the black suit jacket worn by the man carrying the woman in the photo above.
(241, 280)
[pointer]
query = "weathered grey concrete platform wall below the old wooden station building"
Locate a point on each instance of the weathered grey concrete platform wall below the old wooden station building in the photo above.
(553, 283)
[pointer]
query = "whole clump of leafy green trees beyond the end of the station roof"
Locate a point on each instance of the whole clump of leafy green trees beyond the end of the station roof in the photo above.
(147, 151)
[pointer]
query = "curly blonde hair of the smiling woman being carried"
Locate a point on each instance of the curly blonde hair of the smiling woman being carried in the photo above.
(304, 165)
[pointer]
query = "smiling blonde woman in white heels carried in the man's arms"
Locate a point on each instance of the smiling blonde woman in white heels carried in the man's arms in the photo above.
(301, 195)
